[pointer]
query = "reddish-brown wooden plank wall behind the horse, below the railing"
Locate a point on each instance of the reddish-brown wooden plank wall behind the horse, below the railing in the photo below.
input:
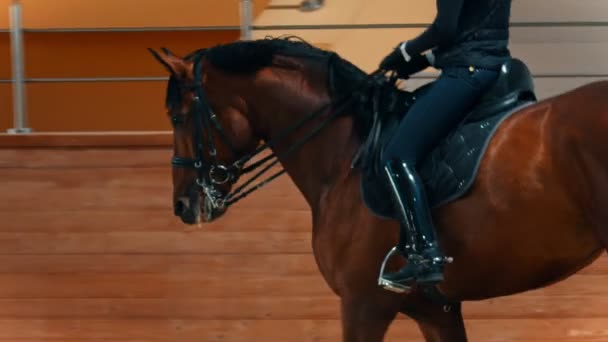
(90, 251)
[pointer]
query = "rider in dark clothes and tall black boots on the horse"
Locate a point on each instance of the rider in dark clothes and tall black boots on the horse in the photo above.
(468, 42)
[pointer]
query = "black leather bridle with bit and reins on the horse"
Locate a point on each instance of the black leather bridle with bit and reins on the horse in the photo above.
(210, 173)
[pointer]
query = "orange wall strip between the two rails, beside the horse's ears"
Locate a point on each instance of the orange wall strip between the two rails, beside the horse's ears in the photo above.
(110, 54)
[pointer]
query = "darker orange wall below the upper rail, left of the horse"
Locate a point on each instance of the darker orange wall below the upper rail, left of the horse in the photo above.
(101, 105)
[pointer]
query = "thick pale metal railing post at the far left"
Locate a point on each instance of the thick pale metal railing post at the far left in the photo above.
(16, 31)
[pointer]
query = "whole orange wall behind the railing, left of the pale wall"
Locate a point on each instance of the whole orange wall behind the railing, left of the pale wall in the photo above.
(107, 105)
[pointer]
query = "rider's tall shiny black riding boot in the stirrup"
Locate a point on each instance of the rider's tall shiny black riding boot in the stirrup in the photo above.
(425, 260)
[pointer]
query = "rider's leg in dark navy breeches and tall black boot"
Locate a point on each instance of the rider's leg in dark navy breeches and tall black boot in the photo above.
(429, 120)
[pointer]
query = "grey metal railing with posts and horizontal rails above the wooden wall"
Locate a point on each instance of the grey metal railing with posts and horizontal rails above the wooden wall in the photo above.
(19, 79)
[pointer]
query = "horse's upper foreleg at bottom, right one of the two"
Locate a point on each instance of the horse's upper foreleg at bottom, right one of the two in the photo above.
(438, 323)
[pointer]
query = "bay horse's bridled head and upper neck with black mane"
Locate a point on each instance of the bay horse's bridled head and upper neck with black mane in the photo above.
(229, 103)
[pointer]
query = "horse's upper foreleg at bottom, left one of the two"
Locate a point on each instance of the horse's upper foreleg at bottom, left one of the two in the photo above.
(366, 320)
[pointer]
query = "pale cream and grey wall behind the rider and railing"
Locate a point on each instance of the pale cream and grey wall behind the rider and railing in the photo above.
(575, 51)
